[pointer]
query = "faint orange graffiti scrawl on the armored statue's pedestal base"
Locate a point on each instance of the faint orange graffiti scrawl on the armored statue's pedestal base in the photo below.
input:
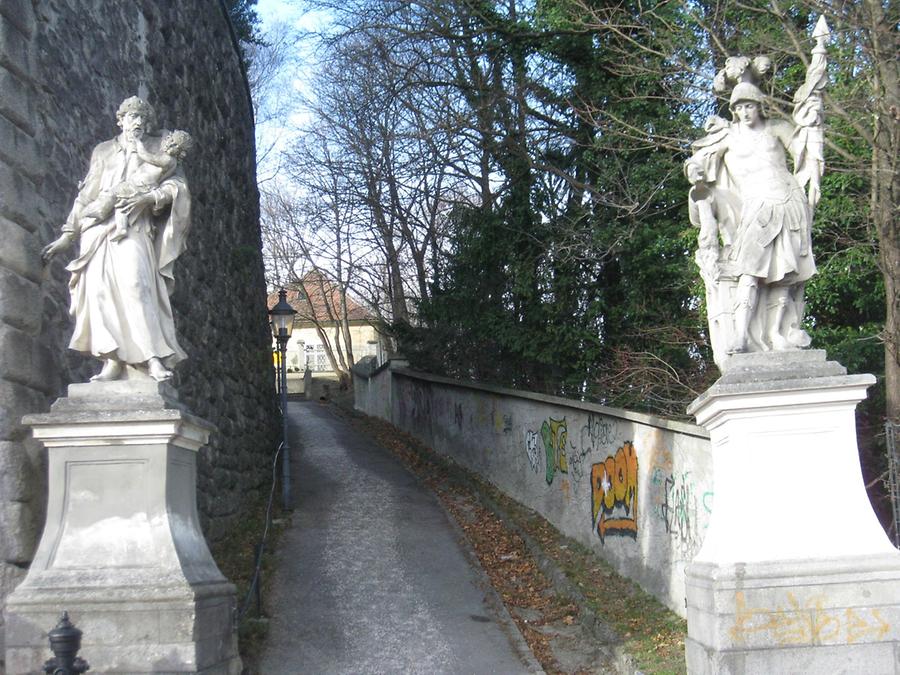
(809, 623)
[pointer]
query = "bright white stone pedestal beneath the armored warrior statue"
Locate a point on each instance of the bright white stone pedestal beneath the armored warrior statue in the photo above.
(795, 574)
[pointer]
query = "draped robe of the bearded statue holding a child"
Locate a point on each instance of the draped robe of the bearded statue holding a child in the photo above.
(120, 289)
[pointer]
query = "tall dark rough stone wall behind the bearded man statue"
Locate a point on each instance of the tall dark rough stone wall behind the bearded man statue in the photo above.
(65, 65)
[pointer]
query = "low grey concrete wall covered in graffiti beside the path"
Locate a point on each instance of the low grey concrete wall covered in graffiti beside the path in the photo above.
(636, 489)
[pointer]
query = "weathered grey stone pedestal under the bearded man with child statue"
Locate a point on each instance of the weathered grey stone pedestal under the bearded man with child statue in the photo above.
(122, 548)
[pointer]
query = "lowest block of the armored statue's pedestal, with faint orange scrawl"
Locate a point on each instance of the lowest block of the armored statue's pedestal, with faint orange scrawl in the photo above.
(824, 616)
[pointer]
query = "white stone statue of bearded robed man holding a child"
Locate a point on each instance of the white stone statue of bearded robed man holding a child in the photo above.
(130, 219)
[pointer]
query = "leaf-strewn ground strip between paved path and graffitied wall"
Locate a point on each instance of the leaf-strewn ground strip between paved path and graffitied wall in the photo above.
(649, 638)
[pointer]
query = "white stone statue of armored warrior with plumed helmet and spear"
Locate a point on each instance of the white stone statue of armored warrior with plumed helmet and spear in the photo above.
(755, 214)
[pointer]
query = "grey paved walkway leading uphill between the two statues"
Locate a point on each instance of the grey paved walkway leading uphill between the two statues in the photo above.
(372, 576)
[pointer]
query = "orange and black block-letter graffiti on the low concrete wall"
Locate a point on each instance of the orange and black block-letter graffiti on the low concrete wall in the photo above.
(614, 494)
